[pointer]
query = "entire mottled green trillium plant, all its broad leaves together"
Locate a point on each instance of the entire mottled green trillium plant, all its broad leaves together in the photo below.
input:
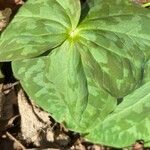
(87, 65)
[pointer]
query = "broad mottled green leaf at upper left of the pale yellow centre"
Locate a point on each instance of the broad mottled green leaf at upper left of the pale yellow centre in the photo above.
(38, 26)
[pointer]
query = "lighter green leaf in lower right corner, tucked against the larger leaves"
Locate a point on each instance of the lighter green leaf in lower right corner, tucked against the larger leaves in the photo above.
(129, 122)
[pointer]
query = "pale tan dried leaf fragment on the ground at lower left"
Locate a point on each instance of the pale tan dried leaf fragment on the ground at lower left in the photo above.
(35, 124)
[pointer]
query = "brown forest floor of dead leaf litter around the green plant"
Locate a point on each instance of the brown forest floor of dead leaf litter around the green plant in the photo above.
(25, 126)
